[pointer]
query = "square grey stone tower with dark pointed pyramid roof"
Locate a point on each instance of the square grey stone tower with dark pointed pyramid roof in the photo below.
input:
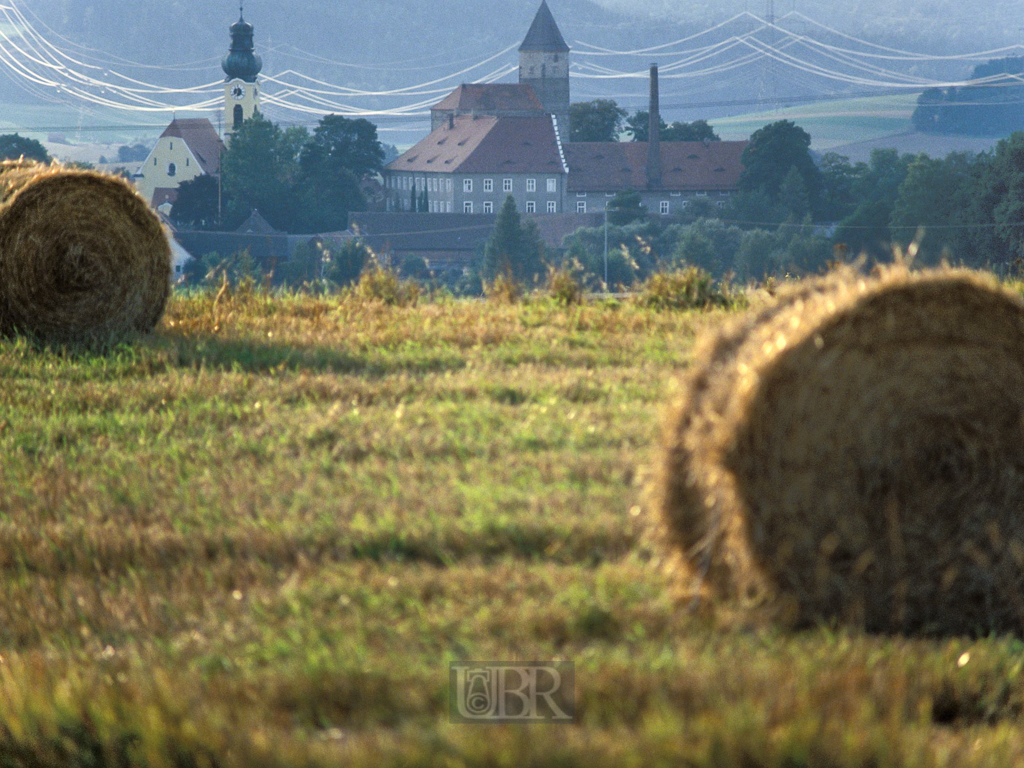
(544, 65)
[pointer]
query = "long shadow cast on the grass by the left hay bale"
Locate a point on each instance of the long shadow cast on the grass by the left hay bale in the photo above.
(259, 357)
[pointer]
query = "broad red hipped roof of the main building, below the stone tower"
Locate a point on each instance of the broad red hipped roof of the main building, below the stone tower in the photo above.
(487, 145)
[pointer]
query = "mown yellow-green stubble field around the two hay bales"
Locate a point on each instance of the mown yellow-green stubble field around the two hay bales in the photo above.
(260, 537)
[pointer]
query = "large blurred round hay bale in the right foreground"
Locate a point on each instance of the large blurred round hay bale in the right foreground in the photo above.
(856, 453)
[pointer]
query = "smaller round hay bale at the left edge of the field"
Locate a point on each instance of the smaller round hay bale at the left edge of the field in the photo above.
(83, 260)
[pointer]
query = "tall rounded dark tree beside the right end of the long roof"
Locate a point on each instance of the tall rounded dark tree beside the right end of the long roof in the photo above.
(776, 150)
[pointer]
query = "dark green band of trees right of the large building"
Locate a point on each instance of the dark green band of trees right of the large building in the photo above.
(794, 214)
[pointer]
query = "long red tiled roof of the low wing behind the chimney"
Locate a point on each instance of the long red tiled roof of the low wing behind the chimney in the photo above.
(686, 166)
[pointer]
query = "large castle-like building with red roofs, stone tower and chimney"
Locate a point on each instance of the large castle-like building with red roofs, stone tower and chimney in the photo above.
(492, 141)
